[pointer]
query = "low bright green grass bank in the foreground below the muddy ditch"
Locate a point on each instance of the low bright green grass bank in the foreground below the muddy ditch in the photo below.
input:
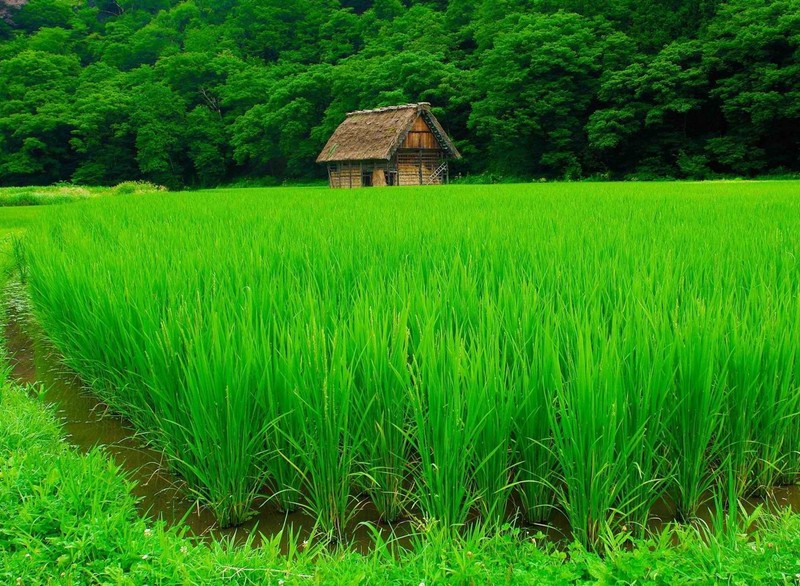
(72, 514)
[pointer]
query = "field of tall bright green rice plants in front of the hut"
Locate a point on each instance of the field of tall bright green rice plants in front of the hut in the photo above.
(461, 351)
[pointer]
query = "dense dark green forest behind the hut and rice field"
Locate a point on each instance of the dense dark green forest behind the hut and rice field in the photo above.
(200, 93)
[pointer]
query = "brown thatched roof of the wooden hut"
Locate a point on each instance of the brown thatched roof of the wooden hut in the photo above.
(377, 134)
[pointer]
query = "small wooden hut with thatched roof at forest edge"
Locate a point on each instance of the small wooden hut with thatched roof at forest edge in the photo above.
(398, 145)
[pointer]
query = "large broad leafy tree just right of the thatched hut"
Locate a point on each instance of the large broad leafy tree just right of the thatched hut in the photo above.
(537, 84)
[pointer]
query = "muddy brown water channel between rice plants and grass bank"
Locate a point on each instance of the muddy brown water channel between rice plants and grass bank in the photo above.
(162, 495)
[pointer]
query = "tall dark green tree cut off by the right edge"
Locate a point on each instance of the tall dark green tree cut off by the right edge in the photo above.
(753, 52)
